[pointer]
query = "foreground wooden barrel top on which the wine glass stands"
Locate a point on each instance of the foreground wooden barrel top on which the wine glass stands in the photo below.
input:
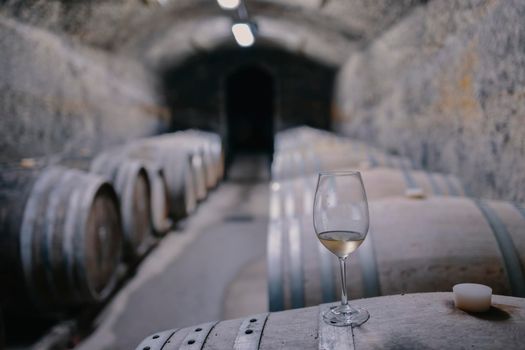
(411, 321)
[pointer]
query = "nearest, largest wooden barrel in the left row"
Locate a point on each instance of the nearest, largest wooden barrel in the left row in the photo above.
(61, 239)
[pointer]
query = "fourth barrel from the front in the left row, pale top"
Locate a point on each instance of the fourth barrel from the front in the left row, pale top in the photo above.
(177, 165)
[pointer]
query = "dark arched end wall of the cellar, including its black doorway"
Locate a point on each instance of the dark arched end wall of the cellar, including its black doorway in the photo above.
(249, 95)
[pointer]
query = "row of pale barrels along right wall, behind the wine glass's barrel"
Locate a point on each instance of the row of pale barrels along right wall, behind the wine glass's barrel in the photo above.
(427, 232)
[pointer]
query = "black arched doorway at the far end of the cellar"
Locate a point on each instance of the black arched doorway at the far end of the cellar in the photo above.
(250, 94)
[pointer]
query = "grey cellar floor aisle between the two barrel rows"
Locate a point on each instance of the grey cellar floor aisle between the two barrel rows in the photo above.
(200, 272)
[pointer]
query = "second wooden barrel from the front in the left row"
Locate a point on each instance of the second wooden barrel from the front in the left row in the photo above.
(131, 181)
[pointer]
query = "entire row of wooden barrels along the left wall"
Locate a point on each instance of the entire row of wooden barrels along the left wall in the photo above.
(71, 231)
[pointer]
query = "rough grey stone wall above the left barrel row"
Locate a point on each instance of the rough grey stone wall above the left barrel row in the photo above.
(58, 97)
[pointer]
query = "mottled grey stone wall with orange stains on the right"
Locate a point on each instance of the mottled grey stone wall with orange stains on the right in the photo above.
(446, 86)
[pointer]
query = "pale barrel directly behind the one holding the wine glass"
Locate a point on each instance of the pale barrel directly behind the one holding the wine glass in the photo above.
(412, 246)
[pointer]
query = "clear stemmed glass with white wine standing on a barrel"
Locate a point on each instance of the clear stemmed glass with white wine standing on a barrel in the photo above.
(341, 223)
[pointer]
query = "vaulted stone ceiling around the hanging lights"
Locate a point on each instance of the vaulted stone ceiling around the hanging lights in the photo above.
(164, 32)
